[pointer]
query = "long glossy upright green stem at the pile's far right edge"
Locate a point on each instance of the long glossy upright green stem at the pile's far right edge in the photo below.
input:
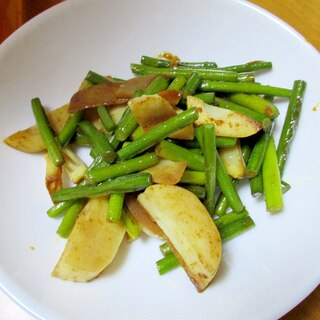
(290, 123)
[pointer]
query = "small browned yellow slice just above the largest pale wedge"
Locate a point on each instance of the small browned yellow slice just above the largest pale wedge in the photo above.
(167, 171)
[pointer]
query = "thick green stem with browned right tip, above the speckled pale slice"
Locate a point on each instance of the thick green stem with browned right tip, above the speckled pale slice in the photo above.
(256, 103)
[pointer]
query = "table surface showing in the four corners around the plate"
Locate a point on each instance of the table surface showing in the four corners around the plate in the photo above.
(301, 15)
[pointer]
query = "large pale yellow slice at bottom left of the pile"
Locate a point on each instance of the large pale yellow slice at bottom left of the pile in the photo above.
(92, 244)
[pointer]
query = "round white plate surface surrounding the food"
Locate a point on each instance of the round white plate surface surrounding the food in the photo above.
(265, 272)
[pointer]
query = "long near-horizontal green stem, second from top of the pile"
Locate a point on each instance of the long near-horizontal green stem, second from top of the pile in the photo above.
(173, 72)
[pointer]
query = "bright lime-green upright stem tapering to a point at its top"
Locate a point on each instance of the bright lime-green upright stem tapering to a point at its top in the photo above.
(272, 179)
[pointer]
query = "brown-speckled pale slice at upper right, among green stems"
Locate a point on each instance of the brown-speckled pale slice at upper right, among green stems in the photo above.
(227, 123)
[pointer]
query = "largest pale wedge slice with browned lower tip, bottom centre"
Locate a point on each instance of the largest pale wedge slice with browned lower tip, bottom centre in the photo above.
(188, 228)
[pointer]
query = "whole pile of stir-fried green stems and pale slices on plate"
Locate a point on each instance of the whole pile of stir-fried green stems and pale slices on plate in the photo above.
(169, 148)
